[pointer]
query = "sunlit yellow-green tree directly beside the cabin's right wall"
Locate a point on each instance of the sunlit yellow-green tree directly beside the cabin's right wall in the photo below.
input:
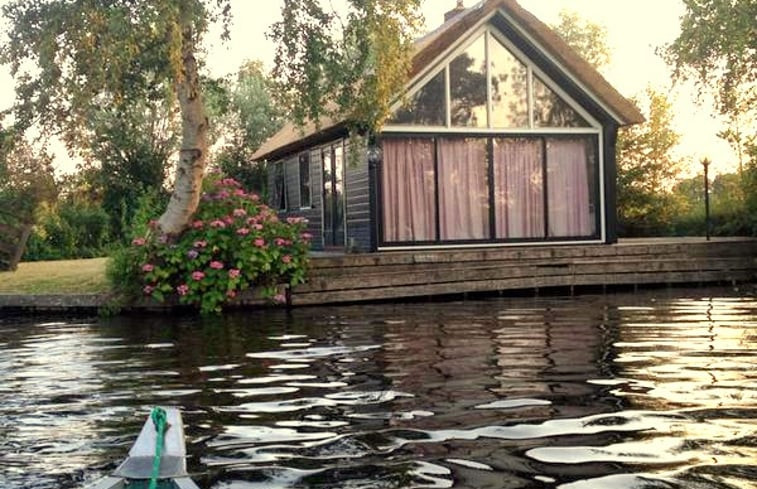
(647, 170)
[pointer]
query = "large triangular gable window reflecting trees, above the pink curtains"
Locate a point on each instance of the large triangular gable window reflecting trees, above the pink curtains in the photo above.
(488, 86)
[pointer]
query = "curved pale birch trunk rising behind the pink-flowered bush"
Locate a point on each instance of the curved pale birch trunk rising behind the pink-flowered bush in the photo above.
(194, 146)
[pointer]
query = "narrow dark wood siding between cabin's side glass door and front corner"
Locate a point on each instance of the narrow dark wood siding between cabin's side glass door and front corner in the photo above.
(358, 199)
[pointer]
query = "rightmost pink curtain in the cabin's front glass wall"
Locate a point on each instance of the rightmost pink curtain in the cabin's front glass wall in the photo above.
(570, 199)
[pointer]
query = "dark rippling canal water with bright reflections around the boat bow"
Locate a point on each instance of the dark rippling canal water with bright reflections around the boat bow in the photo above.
(649, 390)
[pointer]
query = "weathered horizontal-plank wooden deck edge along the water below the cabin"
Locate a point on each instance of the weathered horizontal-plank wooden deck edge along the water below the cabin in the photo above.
(394, 275)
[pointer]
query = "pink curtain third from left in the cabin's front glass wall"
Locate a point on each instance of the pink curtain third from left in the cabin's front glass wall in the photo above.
(518, 188)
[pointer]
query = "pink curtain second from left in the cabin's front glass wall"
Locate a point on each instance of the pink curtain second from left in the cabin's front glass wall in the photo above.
(463, 189)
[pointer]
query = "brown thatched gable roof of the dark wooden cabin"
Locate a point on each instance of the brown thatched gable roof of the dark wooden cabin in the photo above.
(440, 42)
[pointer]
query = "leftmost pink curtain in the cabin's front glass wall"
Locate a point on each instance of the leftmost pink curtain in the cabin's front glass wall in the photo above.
(408, 190)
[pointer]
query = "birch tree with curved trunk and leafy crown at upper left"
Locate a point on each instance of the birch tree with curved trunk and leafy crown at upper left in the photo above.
(70, 58)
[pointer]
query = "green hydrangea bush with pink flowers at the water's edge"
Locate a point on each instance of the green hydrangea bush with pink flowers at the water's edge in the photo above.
(234, 243)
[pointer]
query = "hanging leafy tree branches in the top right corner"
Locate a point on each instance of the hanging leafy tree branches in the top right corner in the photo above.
(717, 48)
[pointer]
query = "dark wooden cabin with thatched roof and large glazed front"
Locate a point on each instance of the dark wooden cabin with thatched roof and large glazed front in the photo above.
(504, 137)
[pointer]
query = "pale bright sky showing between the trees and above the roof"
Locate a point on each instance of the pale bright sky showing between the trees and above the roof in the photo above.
(635, 29)
